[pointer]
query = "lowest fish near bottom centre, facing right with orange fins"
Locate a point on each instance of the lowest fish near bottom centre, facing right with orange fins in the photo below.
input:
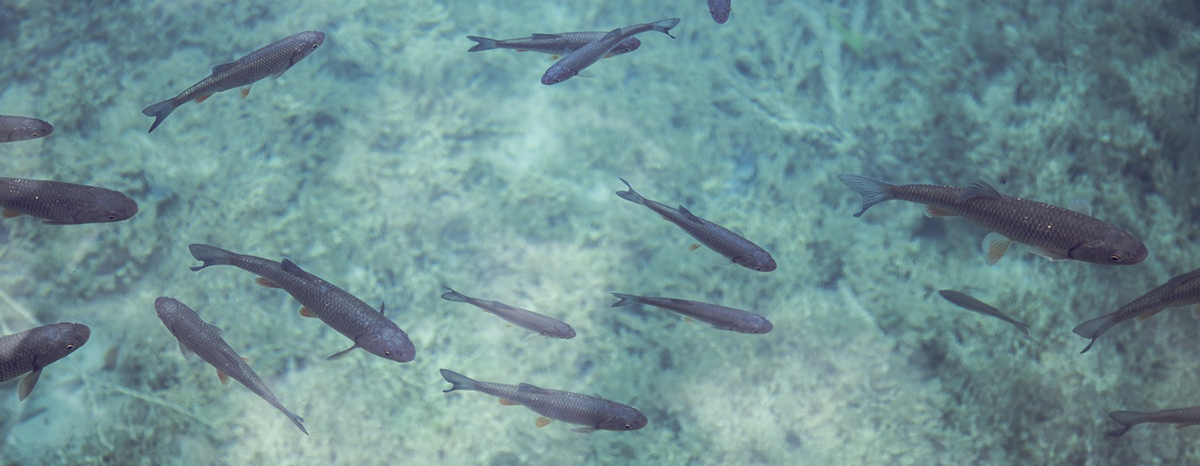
(593, 413)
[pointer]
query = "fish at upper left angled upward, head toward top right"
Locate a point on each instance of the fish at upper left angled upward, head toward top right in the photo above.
(273, 61)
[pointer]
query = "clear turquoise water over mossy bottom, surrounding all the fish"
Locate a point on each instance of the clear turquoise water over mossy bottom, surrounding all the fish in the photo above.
(392, 163)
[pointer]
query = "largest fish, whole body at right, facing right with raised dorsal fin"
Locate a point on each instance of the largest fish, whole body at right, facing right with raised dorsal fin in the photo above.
(1054, 232)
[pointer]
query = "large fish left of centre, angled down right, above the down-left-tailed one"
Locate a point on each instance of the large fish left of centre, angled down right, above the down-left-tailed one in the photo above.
(351, 316)
